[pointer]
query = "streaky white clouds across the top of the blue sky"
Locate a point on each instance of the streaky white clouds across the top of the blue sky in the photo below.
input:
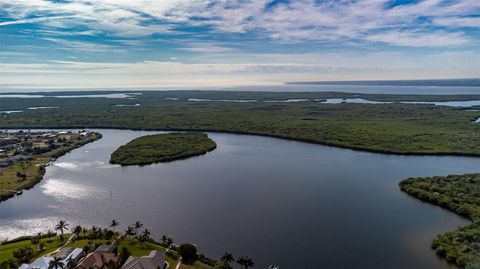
(286, 21)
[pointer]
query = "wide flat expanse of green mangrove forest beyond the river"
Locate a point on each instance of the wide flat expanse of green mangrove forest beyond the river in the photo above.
(389, 128)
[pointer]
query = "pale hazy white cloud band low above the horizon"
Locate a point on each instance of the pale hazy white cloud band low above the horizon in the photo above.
(254, 70)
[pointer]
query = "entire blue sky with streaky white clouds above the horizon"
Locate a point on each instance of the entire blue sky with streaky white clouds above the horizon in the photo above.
(221, 43)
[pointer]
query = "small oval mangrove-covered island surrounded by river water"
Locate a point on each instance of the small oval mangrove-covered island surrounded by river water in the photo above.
(162, 148)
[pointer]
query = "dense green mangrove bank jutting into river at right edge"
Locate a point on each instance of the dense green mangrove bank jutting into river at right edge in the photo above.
(460, 194)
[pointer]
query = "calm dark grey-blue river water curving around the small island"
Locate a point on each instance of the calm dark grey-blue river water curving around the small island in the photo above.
(280, 202)
